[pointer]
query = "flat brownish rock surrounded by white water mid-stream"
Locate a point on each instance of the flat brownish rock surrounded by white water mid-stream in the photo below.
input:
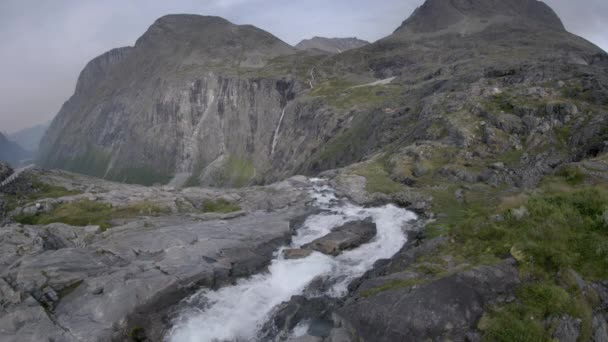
(348, 236)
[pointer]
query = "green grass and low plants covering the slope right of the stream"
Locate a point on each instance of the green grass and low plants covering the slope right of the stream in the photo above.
(554, 232)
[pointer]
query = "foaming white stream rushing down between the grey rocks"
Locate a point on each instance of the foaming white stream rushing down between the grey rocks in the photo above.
(237, 313)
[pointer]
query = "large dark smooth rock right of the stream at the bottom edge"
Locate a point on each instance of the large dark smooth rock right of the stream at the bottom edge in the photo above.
(446, 309)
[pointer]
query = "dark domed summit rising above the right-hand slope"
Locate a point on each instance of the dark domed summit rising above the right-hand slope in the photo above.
(450, 15)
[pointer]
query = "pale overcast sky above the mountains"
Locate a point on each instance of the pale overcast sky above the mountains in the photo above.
(46, 43)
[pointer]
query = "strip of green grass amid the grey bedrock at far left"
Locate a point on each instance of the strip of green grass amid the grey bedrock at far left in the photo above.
(86, 212)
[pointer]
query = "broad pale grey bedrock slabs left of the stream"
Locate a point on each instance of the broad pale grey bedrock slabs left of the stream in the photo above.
(69, 283)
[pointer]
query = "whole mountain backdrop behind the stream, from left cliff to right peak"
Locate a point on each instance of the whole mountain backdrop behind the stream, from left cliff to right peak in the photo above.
(202, 101)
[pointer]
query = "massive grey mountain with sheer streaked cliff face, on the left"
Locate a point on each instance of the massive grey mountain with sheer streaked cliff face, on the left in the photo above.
(174, 104)
